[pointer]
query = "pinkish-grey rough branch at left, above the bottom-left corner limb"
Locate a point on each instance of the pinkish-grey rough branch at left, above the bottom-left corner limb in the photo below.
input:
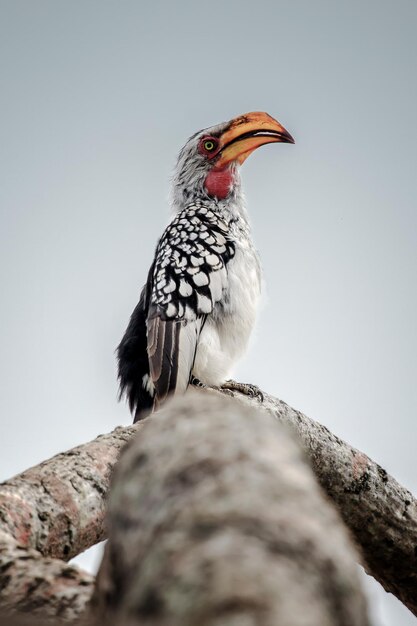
(58, 506)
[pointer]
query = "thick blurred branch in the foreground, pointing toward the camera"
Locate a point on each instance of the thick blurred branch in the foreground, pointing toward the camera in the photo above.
(216, 518)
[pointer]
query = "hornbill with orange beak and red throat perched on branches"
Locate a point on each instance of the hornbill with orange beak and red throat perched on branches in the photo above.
(198, 306)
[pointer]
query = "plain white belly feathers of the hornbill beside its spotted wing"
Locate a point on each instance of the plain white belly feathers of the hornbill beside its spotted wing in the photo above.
(226, 333)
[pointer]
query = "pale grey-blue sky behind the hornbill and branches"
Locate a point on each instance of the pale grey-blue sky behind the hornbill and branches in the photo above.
(97, 99)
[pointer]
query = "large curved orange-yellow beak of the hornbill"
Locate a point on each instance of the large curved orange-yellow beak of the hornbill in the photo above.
(246, 133)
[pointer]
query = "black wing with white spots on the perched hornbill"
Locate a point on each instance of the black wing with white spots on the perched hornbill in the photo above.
(189, 277)
